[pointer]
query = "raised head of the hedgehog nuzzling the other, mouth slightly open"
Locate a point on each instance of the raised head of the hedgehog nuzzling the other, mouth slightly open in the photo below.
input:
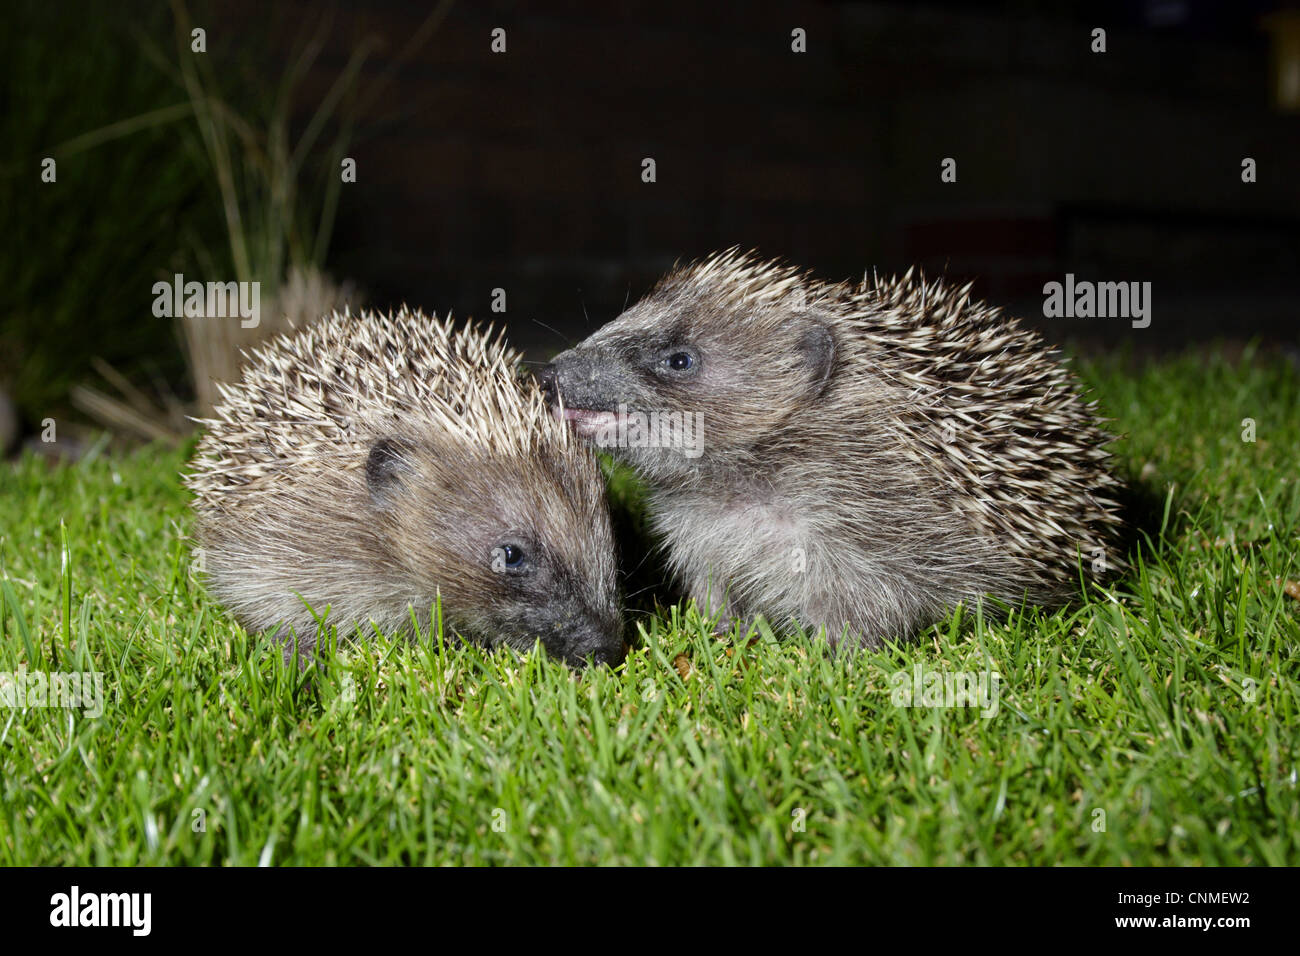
(688, 380)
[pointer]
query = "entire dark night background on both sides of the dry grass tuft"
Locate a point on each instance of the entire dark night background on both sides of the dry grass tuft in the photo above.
(522, 171)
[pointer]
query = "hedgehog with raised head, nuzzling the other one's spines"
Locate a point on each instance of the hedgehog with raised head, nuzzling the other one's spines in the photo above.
(872, 456)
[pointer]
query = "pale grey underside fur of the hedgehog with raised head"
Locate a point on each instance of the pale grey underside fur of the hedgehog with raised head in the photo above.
(800, 557)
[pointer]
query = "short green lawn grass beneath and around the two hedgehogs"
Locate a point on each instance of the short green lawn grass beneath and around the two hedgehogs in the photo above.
(1165, 704)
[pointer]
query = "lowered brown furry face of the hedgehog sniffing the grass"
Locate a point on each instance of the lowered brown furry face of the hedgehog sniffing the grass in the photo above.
(519, 551)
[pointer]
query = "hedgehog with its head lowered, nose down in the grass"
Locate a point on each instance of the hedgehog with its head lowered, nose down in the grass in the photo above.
(374, 464)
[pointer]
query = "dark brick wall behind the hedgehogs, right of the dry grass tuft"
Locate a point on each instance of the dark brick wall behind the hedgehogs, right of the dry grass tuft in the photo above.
(523, 171)
